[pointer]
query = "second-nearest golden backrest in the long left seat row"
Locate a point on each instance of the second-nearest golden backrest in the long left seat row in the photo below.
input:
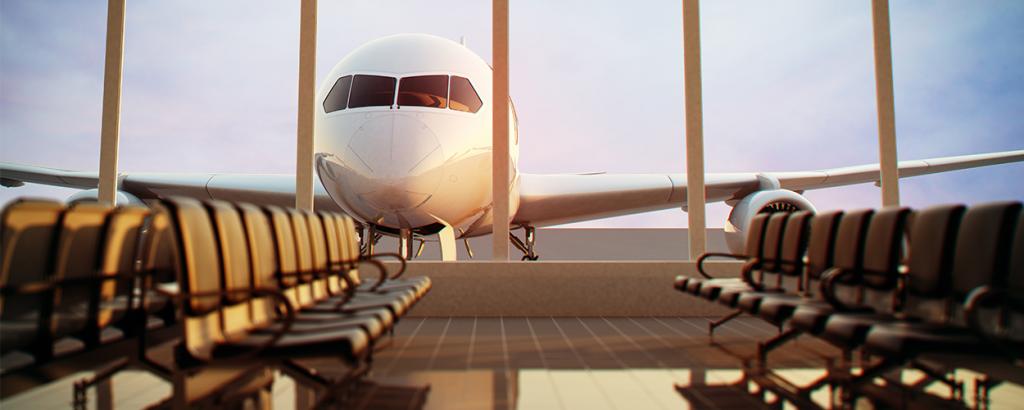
(236, 267)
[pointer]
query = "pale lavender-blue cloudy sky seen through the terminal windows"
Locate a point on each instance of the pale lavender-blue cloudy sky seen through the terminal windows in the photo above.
(599, 87)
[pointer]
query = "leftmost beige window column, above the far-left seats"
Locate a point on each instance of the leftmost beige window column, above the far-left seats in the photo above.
(111, 128)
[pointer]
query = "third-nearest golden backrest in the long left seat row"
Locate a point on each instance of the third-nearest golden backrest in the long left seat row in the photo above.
(264, 260)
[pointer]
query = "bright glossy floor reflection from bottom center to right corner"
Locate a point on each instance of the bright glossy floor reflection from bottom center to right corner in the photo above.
(627, 389)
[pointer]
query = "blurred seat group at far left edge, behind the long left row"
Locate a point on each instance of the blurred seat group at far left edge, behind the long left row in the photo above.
(70, 289)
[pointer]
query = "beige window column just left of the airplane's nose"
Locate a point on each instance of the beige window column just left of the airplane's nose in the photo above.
(308, 91)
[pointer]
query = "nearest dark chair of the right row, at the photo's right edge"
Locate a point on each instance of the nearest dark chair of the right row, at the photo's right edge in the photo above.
(980, 325)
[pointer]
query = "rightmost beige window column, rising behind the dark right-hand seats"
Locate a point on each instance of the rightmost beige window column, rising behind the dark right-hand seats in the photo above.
(886, 105)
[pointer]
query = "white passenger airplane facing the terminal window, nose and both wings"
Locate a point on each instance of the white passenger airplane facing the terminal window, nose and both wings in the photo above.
(403, 143)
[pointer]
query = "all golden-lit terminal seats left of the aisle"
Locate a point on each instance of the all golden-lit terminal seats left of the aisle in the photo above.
(207, 296)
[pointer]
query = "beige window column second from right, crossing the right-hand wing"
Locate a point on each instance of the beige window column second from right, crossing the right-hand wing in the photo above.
(695, 129)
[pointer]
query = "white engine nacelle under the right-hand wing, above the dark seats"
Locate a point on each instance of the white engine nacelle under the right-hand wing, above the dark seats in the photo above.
(758, 202)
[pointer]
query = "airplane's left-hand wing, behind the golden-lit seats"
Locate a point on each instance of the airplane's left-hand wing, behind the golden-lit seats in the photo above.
(258, 189)
